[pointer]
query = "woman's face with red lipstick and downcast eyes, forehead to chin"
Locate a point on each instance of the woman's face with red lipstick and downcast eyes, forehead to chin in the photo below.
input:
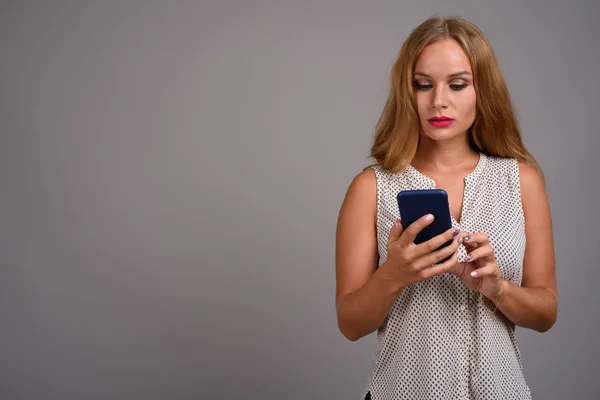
(443, 90)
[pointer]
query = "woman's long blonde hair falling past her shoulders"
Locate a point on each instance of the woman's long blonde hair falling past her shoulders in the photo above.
(494, 132)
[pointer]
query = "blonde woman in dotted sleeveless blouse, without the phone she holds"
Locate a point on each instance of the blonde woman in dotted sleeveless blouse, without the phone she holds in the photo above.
(446, 329)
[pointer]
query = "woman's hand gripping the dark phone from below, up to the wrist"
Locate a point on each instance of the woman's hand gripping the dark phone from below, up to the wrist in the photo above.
(408, 263)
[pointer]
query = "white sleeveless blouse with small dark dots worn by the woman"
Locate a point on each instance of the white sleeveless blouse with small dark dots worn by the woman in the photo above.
(440, 339)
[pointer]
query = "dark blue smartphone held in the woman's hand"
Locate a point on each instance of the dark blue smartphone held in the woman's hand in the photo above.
(414, 204)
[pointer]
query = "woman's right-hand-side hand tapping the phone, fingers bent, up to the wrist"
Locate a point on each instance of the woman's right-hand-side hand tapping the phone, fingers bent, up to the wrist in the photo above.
(480, 272)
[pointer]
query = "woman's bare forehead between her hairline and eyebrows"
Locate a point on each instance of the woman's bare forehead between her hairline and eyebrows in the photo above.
(442, 58)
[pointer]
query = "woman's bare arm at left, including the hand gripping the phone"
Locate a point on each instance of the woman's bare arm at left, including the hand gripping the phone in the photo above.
(364, 293)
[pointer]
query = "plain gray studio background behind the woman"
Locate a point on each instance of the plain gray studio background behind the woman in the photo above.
(171, 174)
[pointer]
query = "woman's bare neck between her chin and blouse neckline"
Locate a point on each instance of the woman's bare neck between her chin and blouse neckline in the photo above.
(446, 156)
